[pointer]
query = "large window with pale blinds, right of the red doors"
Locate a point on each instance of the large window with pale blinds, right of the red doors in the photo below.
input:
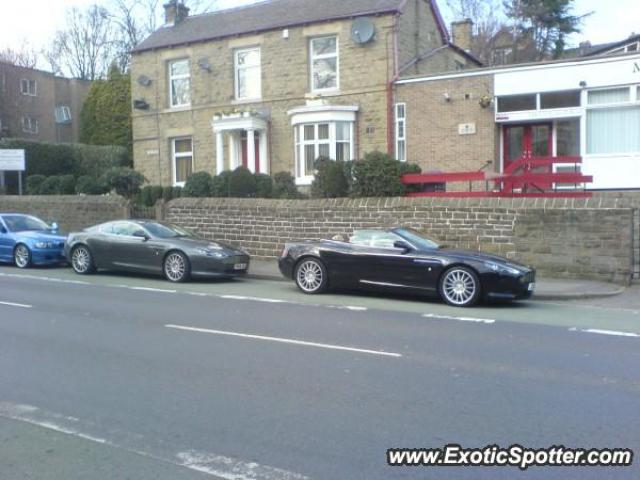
(613, 121)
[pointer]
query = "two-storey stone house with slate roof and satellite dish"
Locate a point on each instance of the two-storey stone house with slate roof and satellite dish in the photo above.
(274, 85)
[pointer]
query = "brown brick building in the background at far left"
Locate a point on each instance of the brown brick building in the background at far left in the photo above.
(40, 106)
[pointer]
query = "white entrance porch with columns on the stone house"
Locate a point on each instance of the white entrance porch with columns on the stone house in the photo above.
(244, 137)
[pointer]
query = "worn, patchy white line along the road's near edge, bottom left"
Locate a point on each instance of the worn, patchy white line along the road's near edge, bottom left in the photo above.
(208, 463)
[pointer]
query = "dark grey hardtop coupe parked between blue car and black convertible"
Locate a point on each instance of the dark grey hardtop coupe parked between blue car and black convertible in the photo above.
(152, 247)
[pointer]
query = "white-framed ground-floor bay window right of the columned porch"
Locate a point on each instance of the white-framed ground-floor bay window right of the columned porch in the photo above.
(333, 140)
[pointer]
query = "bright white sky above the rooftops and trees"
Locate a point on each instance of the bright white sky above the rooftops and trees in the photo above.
(35, 21)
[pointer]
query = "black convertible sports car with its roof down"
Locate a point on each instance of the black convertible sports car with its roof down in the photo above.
(403, 259)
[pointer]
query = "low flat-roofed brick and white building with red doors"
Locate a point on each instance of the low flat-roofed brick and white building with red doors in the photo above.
(488, 118)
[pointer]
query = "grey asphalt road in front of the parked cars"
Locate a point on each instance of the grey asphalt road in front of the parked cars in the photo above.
(110, 377)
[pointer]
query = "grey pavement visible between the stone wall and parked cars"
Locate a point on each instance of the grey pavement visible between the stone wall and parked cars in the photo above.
(546, 288)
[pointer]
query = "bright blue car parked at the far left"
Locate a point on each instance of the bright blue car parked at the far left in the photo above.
(28, 241)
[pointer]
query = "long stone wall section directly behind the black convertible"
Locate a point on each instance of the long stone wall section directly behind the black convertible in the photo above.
(588, 239)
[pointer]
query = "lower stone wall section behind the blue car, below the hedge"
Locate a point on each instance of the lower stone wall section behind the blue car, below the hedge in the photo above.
(72, 213)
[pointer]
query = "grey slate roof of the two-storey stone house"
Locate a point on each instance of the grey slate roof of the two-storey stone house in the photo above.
(264, 16)
